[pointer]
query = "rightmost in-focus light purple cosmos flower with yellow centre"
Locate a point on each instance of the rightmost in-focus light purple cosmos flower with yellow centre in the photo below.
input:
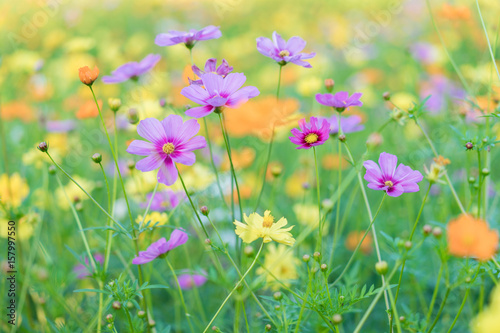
(389, 178)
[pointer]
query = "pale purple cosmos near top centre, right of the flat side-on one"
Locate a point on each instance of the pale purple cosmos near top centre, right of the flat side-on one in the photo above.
(284, 52)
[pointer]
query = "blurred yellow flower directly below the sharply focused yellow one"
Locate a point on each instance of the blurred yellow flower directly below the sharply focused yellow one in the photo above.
(281, 264)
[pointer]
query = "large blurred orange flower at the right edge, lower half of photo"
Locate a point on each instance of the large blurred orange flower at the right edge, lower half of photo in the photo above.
(471, 237)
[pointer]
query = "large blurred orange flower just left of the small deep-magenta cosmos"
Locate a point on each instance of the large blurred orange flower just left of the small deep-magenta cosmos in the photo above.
(258, 117)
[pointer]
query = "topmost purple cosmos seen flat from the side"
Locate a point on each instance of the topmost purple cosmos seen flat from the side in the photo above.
(188, 38)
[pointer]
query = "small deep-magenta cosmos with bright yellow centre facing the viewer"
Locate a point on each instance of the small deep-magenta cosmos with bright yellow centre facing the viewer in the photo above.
(311, 134)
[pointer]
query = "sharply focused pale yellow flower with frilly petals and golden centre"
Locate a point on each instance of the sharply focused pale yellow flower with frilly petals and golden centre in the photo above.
(264, 227)
